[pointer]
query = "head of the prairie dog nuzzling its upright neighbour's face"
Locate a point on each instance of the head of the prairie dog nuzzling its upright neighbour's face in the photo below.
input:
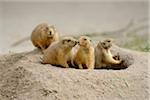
(69, 42)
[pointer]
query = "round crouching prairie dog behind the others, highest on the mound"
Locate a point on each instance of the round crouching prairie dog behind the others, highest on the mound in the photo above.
(43, 35)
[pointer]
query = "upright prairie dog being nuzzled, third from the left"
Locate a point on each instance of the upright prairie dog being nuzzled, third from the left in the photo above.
(84, 56)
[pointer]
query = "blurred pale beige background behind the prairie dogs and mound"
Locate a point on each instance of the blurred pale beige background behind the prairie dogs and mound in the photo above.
(126, 22)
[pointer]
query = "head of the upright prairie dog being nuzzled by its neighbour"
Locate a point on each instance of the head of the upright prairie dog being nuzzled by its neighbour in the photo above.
(85, 41)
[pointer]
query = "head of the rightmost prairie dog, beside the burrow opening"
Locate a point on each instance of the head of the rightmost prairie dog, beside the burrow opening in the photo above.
(106, 44)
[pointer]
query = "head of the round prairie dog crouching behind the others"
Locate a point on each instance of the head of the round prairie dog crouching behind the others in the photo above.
(50, 31)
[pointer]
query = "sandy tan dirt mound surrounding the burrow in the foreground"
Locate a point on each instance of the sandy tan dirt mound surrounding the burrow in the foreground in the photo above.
(22, 77)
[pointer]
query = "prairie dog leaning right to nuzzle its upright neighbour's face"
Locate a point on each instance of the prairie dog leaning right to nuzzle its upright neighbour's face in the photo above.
(59, 52)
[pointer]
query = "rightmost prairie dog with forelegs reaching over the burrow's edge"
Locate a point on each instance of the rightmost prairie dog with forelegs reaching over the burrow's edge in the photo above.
(103, 56)
